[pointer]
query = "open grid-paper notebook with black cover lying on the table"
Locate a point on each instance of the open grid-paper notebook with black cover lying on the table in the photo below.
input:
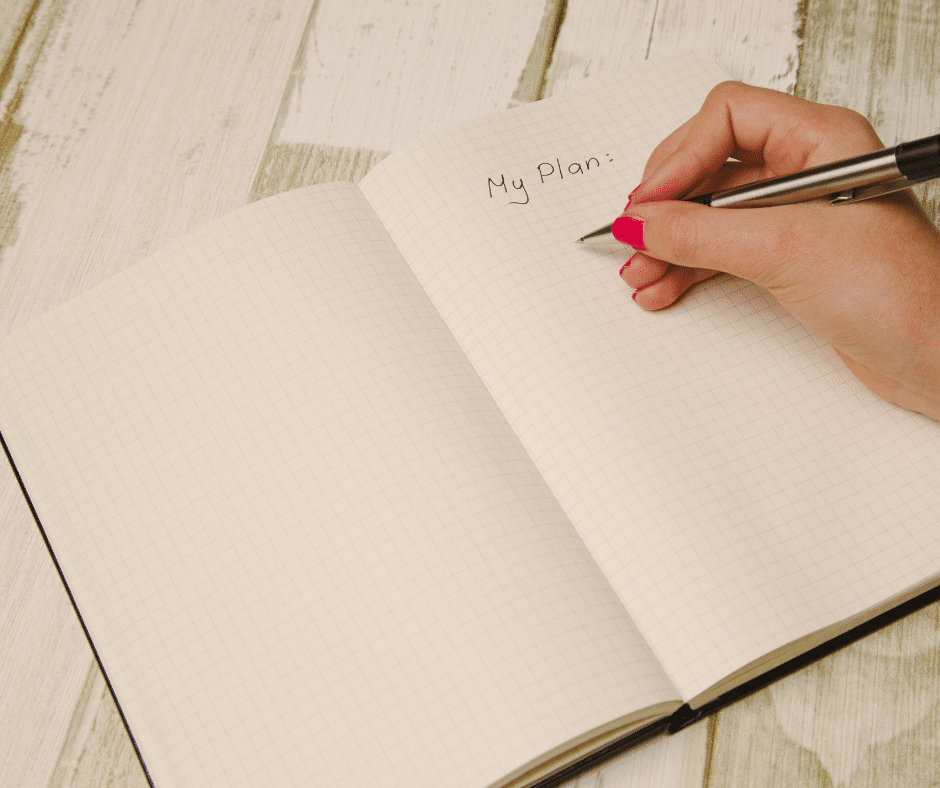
(394, 485)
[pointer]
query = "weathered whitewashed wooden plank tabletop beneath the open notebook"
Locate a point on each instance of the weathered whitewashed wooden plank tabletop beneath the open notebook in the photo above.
(125, 125)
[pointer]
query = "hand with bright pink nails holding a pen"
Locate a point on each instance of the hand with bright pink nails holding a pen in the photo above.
(865, 276)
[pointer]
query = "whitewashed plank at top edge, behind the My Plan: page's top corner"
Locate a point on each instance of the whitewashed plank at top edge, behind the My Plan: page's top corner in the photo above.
(753, 40)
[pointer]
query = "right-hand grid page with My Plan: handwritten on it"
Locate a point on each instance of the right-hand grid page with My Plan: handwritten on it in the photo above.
(737, 485)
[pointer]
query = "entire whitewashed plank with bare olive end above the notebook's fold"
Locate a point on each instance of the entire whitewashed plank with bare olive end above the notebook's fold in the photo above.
(460, 60)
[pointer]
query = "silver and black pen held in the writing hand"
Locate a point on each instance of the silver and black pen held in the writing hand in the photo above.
(849, 180)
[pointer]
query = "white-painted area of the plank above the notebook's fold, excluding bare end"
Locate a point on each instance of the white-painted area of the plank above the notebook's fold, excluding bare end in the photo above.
(377, 75)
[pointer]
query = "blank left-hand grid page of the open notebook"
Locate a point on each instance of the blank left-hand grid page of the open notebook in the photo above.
(307, 546)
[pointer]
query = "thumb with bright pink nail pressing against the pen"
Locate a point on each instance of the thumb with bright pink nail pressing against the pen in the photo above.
(758, 244)
